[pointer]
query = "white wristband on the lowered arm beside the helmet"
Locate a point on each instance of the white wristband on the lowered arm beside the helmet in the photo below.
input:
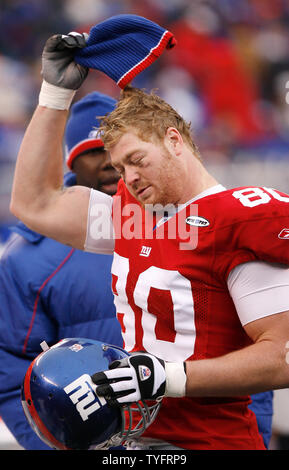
(175, 379)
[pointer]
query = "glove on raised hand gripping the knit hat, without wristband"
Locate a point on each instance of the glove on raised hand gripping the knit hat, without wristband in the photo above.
(58, 66)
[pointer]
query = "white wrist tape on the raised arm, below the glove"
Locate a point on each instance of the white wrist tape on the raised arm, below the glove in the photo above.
(55, 97)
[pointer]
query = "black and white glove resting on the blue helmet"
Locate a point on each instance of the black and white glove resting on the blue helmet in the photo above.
(140, 376)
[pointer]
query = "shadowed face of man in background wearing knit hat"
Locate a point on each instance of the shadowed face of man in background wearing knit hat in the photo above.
(94, 170)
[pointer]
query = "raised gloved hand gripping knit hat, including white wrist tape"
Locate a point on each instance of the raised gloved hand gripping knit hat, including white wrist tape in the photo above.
(62, 76)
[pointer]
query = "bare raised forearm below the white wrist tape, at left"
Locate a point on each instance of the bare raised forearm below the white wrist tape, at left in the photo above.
(39, 167)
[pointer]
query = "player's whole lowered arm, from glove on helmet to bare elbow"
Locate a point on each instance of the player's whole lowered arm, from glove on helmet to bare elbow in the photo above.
(259, 367)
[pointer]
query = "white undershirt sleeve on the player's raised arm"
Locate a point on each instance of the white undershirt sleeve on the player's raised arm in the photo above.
(99, 232)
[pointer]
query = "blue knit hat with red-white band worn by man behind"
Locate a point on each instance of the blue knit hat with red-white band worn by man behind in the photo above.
(83, 122)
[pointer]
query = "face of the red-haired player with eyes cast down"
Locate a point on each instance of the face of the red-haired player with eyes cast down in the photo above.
(152, 174)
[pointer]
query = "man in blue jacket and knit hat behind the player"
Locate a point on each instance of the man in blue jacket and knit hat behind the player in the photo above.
(49, 291)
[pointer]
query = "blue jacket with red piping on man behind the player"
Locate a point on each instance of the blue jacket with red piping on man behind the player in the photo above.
(48, 291)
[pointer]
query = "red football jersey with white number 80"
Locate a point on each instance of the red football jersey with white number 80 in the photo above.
(171, 296)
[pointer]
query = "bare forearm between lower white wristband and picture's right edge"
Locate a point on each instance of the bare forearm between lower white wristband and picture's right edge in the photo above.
(256, 368)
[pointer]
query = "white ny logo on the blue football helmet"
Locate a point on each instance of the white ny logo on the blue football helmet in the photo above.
(82, 395)
